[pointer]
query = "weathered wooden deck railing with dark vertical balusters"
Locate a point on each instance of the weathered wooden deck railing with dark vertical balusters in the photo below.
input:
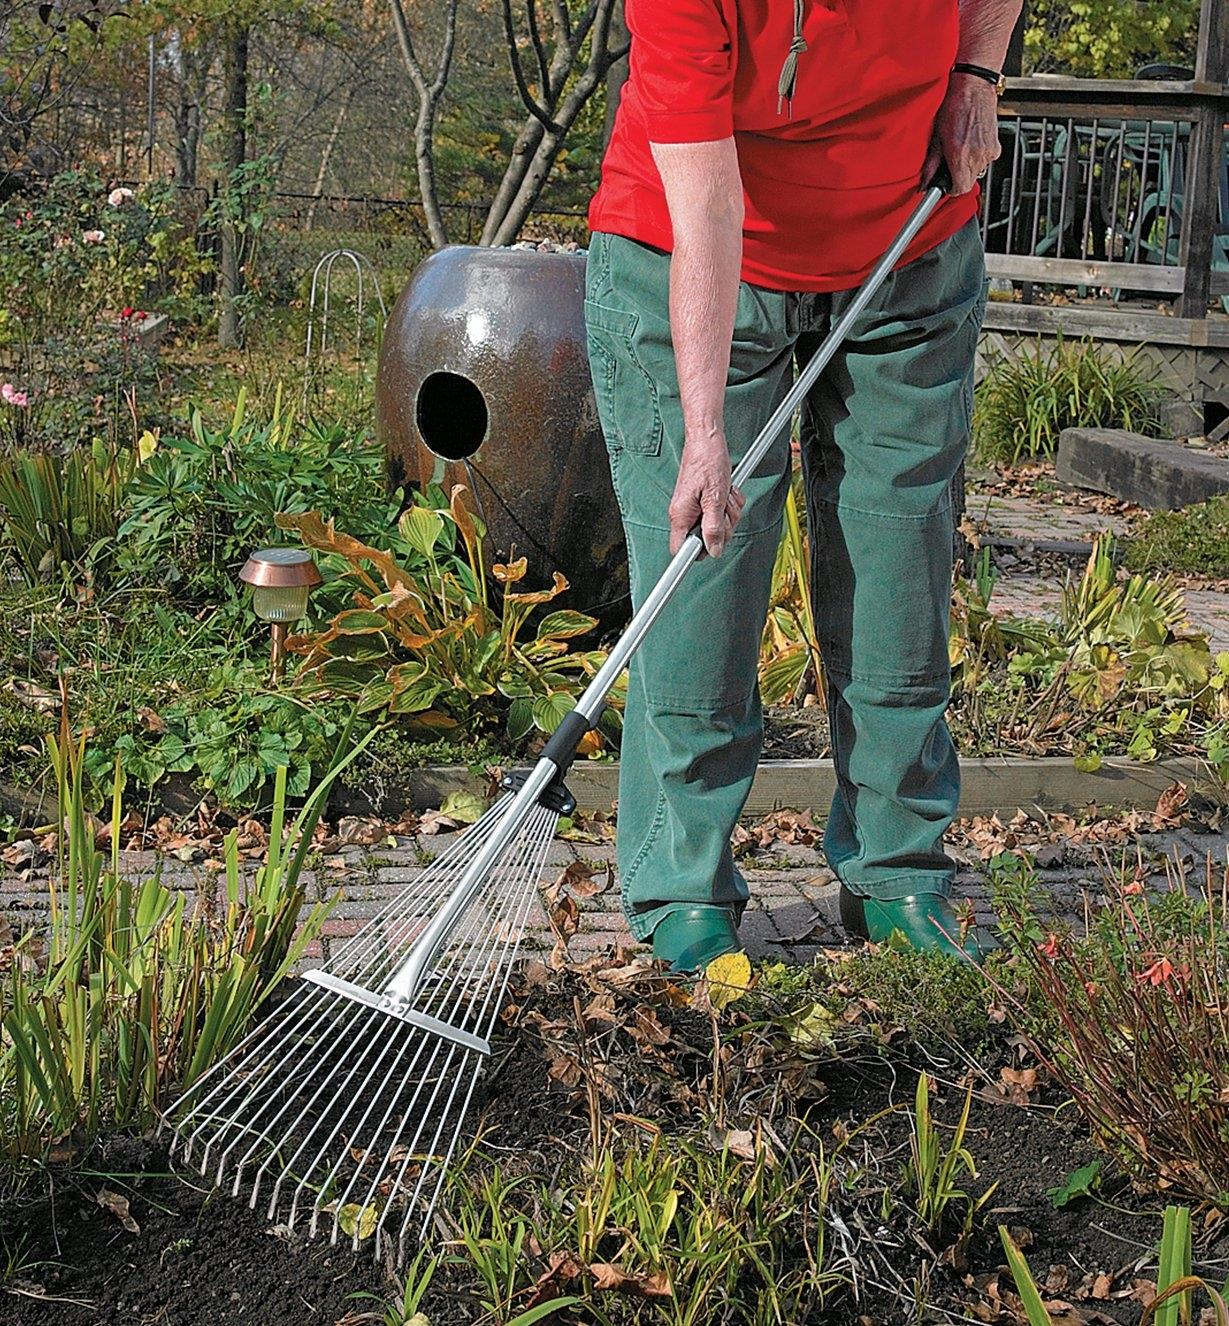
(1120, 186)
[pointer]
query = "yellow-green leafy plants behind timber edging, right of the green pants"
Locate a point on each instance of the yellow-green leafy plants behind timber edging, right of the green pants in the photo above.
(1120, 672)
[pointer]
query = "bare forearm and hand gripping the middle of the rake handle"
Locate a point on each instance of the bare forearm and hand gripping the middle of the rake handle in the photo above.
(705, 196)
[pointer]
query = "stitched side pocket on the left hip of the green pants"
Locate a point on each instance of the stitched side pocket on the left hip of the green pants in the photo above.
(626, 394)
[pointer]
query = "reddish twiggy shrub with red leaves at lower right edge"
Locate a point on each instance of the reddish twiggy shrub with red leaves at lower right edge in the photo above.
(1130, 1018)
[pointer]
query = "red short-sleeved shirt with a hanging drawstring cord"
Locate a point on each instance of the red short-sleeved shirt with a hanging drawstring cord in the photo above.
(828, 182)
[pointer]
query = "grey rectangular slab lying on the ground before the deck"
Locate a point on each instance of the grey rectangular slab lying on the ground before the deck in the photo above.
(1158, 475)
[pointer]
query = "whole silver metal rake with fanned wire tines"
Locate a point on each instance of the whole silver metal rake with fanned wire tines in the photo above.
(343, 1109)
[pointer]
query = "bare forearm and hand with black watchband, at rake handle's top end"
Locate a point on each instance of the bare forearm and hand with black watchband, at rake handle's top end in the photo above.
(967, 128)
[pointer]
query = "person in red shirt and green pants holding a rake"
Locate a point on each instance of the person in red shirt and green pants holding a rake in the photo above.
(763, 158)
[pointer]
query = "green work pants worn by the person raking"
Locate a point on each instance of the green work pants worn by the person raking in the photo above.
(884, 433)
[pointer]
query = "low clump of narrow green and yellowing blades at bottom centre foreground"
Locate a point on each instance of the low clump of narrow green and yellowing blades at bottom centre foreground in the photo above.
(674, 1227)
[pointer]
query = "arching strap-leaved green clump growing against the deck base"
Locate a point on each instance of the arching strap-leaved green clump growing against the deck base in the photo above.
(1025, 402)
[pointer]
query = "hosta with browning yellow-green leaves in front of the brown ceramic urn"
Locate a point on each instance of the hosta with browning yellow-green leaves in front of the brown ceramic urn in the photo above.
(438, 645)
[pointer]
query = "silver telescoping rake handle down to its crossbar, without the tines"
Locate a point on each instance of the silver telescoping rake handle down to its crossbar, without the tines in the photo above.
(543, 786)
